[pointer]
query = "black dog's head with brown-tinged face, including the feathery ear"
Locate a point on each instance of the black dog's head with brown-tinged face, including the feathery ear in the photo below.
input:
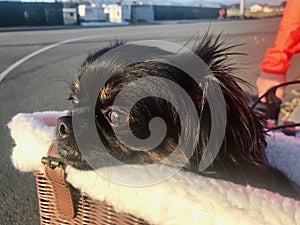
(244, 138)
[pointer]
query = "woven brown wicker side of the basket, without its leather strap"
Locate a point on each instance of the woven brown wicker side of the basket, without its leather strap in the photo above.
(88, 211)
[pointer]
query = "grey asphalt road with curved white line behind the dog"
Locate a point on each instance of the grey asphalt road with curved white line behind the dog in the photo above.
(37, 67)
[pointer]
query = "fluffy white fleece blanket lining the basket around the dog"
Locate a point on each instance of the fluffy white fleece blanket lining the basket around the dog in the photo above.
(184, 198)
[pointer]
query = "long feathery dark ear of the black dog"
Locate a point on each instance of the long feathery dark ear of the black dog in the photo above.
(244, 138)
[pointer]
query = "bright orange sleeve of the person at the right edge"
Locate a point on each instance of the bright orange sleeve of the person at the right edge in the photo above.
(287, 41)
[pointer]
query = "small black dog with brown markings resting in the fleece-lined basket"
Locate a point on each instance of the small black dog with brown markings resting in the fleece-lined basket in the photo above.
(241, 158)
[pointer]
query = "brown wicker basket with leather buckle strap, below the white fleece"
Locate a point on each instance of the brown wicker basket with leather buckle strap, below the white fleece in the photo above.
(61, 203)
